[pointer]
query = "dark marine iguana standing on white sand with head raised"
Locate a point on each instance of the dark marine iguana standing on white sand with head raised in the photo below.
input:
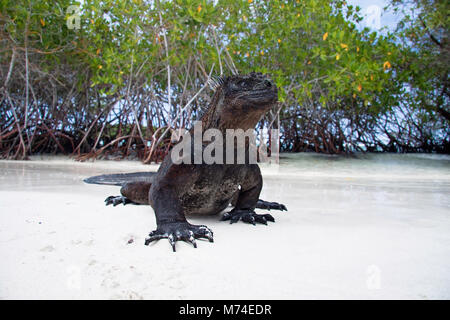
(177, 190)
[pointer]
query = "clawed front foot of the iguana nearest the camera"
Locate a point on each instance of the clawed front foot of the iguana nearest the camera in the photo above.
(174, 231)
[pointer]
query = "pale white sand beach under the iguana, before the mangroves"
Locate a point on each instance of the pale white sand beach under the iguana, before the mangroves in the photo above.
(366, 227)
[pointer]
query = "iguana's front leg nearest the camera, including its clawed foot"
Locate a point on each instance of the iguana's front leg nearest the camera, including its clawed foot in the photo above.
(170, 220)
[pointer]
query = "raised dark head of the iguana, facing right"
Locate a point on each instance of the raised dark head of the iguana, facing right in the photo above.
(240, 101)
